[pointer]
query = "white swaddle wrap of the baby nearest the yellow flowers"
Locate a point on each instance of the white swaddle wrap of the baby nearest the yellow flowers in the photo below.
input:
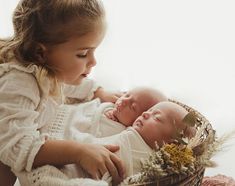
(132, 150)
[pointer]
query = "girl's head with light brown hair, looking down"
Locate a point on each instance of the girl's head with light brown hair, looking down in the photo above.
(60, 36)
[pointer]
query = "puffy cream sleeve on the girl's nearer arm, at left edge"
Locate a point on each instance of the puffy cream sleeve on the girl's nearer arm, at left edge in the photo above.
(19, 138)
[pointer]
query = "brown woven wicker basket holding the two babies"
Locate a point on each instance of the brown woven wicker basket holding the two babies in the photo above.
(196, 178)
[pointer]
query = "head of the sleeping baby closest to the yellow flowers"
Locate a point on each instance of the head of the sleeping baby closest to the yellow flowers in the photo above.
(161, 123)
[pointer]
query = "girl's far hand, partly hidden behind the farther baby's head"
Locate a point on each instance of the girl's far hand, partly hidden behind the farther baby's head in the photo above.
(106, 96)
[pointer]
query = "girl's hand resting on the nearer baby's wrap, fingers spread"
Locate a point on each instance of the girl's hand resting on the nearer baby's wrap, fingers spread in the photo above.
(98, 159)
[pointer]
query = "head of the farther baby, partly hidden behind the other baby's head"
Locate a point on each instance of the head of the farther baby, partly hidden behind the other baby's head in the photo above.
(134, 102)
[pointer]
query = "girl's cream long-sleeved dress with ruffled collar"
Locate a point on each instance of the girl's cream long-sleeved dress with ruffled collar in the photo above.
(26, 109)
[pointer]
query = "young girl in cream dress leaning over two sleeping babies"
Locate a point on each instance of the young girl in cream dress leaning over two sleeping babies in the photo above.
(53, 44)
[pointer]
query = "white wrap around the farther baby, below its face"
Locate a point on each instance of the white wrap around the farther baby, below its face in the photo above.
(89, 118)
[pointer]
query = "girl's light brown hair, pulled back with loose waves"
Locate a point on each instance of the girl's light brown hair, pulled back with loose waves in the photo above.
(48, 22)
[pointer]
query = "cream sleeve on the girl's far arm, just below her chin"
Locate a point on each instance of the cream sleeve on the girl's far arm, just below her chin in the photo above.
(85, 91)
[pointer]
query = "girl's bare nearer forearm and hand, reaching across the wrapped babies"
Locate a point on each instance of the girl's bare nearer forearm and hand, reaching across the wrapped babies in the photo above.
(95, 159)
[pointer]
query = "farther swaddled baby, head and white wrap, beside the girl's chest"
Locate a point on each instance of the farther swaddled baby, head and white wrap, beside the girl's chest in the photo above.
(106, 119)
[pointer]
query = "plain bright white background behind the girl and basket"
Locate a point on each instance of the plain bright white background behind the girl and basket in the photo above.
(184, 48)
